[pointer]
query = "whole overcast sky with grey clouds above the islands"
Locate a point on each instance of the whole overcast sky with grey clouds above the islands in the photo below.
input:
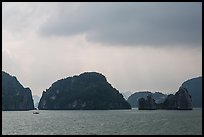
(137, 46)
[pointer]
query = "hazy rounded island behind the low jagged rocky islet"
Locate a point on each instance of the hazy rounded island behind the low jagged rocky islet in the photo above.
(133, 99)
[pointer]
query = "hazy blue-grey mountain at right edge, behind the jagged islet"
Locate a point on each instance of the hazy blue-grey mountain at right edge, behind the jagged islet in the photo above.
(194, 87)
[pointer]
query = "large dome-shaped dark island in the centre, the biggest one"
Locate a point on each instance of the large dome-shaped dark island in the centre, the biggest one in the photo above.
(89, 90)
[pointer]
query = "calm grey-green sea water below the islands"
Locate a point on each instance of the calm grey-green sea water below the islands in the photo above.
(103, 122)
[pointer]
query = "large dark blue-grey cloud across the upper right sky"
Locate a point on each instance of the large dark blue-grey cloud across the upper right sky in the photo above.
(129, 23)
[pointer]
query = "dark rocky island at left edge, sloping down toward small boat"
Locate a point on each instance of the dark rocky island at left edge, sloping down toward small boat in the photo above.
(14, 95)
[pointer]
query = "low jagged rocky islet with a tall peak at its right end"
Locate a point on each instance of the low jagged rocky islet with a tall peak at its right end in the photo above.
(181, 100)
